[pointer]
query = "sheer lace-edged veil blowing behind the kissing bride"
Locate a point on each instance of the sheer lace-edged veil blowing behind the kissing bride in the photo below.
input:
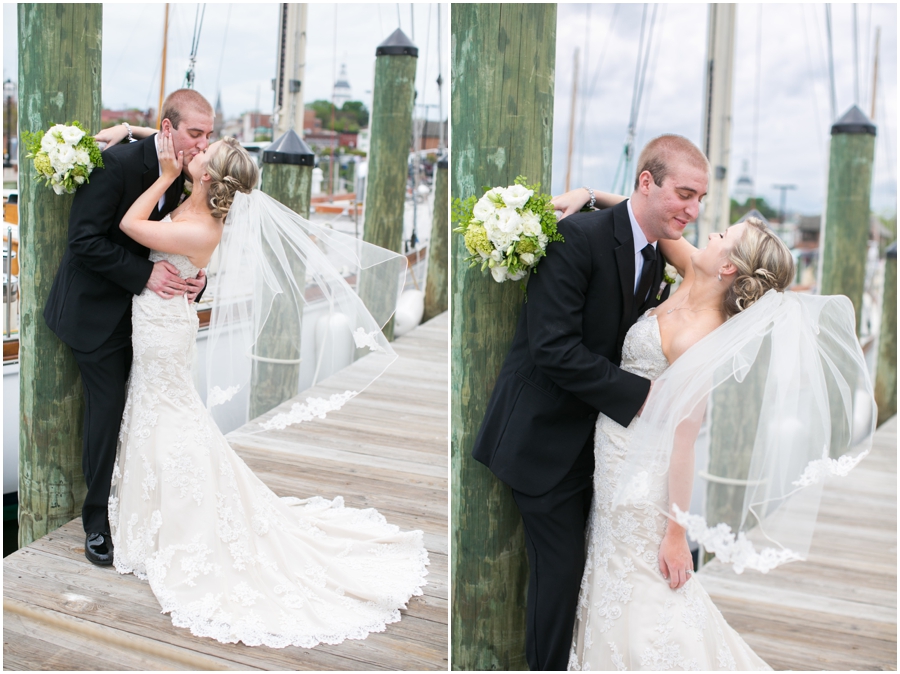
(283, 281)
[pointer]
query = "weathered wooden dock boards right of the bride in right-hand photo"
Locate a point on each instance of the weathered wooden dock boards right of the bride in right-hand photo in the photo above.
(837, 610)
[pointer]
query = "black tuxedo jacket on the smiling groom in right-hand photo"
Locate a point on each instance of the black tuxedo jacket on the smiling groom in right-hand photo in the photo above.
(562, 368)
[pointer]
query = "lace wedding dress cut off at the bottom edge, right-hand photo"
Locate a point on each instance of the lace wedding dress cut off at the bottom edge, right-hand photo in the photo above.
(628, 617)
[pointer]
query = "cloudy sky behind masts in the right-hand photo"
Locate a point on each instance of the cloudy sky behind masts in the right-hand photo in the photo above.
(793, 102)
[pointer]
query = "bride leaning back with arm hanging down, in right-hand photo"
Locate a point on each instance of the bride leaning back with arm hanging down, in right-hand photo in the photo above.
(639, 606)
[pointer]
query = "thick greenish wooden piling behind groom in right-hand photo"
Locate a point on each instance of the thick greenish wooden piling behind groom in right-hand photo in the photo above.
(503, 62)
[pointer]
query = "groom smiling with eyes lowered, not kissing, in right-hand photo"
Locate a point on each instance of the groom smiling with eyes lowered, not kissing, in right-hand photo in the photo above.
(562, 370)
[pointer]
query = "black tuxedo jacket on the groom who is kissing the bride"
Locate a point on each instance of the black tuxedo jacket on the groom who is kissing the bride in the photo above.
(102, 268)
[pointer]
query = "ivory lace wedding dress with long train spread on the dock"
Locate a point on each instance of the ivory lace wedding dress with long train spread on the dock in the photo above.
(224, 555)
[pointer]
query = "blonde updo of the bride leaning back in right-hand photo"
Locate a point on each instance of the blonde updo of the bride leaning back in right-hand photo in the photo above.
(763, 263)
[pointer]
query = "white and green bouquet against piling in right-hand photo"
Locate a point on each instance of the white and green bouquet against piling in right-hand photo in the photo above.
(507, 230)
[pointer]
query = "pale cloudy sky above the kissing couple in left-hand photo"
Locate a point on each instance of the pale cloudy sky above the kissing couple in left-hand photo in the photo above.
(237, 50)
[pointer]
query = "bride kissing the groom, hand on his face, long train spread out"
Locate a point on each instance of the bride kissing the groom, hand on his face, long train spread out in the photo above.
(223, 554)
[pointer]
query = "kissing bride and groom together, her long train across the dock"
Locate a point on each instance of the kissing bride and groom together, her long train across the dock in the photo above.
(168, 499)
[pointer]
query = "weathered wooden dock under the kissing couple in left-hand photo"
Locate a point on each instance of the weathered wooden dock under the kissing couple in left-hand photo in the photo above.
(386, 449)
